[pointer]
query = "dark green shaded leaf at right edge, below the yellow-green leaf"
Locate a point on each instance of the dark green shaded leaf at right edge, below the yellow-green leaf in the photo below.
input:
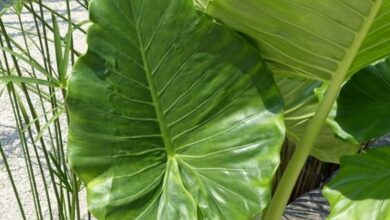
(364, 103)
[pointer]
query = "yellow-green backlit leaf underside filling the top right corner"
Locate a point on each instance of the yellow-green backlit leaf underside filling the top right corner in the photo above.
(316, 39)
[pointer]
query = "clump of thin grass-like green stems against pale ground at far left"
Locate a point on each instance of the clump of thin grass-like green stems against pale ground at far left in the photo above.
(34, 66)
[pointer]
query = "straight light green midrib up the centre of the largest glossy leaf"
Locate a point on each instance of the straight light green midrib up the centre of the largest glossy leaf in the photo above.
(156, 101)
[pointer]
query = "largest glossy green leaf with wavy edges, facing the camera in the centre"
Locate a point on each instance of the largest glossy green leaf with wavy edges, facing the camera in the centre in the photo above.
(171, 116)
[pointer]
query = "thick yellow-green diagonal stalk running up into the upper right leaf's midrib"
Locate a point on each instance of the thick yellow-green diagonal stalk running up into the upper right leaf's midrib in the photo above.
(304, 147)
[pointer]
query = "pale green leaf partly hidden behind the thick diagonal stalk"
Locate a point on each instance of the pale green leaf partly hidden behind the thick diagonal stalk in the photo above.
(300, 105)
